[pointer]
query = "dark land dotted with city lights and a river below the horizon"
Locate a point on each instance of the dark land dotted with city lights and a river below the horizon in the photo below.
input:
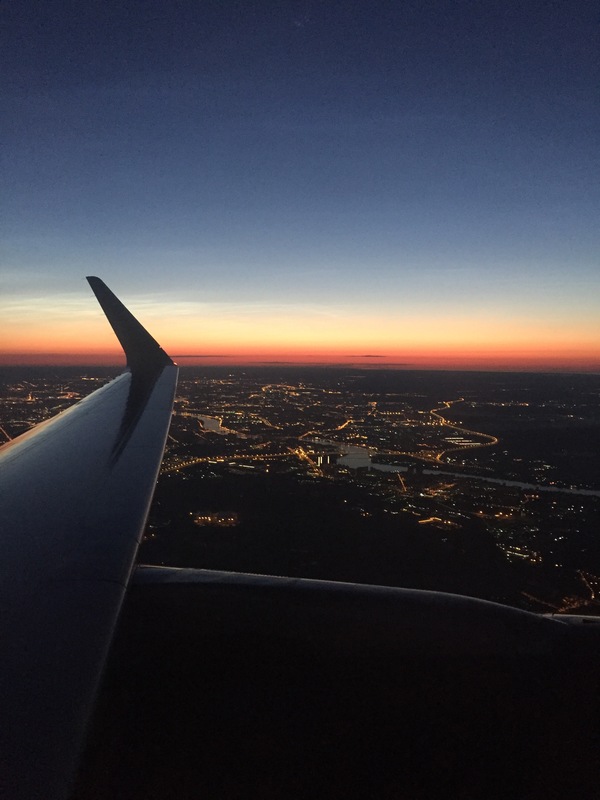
(289, 471)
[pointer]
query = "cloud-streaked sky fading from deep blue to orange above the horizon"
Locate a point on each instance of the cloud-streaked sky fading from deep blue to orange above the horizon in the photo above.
(311, 181)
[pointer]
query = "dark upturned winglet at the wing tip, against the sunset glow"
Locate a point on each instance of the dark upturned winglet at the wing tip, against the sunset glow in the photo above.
(143, 352)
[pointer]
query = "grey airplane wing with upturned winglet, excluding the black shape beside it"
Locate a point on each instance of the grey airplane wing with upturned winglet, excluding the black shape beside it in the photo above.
(74, 496)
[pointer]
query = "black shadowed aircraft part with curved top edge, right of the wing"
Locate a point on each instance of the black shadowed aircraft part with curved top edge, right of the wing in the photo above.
(225, 685)
